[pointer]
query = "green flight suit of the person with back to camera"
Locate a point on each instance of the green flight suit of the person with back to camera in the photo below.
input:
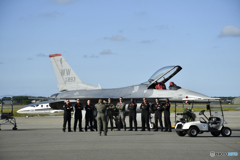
(101, 109)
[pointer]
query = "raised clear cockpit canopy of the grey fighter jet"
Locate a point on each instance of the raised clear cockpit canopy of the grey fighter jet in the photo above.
(164, 74)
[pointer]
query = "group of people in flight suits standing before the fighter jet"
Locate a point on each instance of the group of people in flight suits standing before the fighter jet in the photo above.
(103, 112)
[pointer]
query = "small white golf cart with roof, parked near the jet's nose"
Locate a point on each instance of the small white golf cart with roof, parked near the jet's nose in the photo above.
(213, 124)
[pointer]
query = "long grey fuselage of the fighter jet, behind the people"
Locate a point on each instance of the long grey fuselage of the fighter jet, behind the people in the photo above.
(135, 91)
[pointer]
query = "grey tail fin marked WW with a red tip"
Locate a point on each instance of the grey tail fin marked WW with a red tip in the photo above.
(67, 78)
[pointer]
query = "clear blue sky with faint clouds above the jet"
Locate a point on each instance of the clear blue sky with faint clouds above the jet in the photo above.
(118, 43)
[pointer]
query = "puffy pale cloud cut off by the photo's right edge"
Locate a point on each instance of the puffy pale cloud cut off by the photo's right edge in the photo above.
(230, 31)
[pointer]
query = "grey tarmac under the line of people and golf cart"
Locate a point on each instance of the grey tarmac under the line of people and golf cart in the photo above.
(42, 138)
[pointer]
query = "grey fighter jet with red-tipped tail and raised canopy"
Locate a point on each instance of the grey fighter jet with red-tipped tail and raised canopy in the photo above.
(71, 87)
